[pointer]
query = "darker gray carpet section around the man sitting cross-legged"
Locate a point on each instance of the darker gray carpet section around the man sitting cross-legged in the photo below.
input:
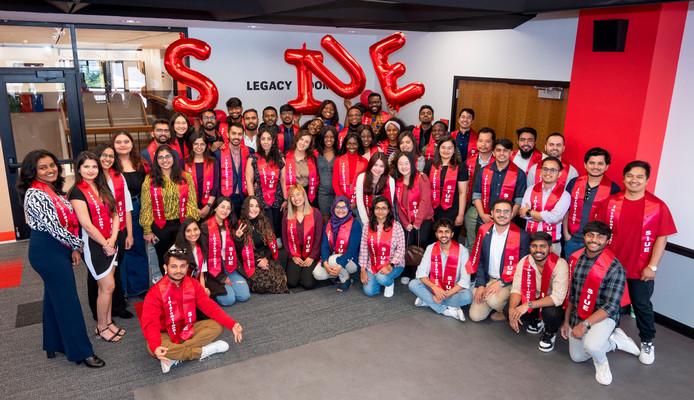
(271, 323)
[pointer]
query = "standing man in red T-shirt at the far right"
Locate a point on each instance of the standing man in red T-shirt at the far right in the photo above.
(640, 224)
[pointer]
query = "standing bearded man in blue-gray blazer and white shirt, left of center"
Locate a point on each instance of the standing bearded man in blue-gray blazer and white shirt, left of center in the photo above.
(232, 163)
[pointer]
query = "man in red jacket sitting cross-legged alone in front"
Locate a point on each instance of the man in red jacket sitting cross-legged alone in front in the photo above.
(168, 317)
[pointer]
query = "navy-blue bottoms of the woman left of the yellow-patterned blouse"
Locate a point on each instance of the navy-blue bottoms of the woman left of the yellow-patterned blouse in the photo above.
(134, 267)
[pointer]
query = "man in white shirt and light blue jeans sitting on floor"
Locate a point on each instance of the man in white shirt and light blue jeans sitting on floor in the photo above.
(441, 280)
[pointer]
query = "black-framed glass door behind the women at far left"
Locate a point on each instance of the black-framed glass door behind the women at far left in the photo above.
(39, 109)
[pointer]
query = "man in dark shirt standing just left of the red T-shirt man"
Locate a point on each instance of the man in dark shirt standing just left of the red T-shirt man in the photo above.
(588, 193)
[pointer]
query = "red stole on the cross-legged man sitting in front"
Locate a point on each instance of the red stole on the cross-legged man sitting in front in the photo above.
(179, 315)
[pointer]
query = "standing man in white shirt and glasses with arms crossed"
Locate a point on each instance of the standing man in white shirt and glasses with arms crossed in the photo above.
(545, 204)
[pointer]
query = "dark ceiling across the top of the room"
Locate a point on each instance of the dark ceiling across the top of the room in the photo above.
(407, 15)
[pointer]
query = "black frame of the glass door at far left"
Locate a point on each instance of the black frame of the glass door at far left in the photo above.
(67, 76)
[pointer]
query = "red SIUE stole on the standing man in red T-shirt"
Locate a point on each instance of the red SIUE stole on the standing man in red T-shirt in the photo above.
(649, 228)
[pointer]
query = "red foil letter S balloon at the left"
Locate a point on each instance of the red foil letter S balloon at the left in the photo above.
(173, 62)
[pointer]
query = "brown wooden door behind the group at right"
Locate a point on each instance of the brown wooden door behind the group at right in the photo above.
(506, 107)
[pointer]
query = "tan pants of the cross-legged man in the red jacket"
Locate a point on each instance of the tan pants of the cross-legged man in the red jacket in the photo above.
(204, 332)
